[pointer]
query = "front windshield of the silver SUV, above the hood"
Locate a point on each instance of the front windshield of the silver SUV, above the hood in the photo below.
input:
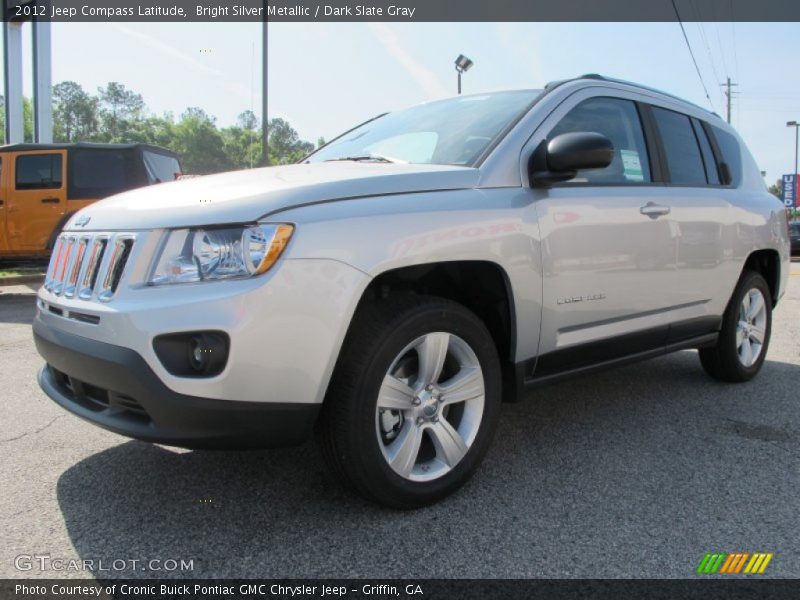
(447, 132)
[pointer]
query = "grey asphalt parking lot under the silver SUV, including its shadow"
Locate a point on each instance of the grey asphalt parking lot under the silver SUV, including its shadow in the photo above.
(634, 472)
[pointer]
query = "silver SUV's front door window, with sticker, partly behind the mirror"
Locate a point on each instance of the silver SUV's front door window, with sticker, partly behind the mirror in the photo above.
(619, 121)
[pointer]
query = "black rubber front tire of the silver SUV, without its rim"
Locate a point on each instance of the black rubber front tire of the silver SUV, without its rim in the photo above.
(347, 428)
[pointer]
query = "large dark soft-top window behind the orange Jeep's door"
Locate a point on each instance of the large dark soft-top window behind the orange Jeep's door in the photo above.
(100, 173)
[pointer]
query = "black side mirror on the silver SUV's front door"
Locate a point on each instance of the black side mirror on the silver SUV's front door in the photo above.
(561, 158)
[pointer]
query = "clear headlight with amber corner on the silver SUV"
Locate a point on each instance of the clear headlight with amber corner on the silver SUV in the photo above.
(210, 254)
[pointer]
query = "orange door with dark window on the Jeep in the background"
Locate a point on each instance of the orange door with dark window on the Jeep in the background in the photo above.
(36, 197)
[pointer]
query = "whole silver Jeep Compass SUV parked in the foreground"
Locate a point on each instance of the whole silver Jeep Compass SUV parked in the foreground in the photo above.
(398, 284)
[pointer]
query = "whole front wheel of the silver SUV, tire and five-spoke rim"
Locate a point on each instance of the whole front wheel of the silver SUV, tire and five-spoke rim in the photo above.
(413, 402)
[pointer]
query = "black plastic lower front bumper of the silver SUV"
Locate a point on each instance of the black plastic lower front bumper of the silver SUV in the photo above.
(115, 388)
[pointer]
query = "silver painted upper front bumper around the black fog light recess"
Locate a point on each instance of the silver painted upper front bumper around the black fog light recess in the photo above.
(285, 327)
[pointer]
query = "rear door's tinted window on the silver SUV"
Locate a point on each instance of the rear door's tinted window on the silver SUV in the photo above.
(680, 144)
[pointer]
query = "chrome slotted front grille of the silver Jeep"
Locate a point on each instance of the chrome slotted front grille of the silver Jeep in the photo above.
(84, 265)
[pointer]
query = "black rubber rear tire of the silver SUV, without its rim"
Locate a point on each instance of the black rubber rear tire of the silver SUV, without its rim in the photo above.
(722, 361)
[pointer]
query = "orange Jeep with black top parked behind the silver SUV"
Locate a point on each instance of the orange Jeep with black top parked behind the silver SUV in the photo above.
(43, 185)
